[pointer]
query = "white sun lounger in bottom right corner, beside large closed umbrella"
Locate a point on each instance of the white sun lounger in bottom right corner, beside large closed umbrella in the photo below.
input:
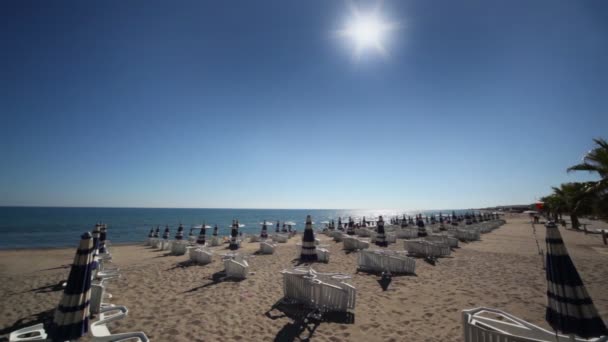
(492, 325)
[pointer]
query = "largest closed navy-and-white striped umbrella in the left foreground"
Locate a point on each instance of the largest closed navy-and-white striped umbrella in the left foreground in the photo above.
(71, 319)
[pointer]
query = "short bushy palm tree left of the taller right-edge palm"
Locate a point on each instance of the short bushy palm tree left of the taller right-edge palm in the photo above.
(575, 199)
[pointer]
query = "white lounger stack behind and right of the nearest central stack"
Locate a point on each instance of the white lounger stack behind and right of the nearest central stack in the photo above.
(380, 260)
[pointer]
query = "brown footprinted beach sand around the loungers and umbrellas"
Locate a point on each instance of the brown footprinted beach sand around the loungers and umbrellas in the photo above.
(172, 300)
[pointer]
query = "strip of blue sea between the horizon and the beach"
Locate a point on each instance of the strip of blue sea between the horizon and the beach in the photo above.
(54, 227)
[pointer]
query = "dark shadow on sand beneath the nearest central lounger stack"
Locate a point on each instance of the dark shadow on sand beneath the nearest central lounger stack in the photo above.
(305, 320)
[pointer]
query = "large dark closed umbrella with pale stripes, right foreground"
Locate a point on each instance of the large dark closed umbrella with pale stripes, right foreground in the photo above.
(570, 310)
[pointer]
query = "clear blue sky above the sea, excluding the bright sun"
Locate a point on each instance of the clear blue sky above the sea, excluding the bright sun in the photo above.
(260, 104)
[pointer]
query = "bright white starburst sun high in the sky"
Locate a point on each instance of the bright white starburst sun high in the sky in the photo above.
(368, 31)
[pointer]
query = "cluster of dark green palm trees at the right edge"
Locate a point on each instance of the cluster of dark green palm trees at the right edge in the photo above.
(585, 198)
